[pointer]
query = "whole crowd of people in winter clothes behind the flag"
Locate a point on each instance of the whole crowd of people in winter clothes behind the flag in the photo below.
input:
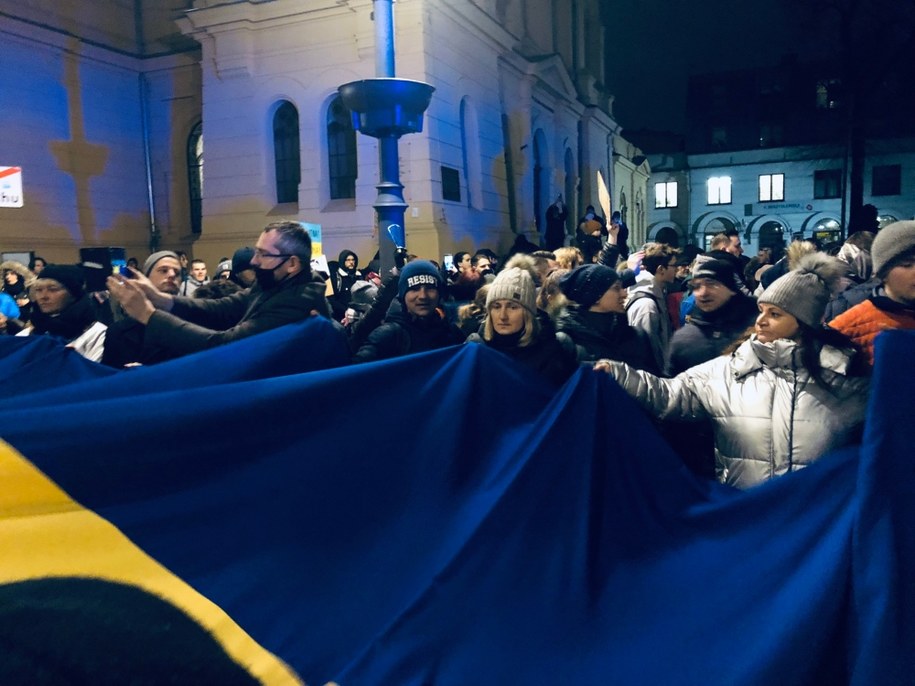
(752, 368)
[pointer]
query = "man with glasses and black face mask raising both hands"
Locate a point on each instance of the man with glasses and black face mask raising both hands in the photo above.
(284, 292)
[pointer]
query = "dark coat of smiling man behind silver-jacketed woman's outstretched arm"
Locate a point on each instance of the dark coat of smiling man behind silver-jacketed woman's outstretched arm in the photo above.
(707, 334)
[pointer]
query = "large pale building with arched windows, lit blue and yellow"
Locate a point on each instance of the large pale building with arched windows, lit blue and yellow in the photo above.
(192, 128)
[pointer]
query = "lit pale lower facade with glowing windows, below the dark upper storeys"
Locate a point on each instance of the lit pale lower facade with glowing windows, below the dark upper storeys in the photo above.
(775, 195)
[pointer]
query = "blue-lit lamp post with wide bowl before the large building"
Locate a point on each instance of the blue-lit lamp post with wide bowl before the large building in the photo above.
(386, 108)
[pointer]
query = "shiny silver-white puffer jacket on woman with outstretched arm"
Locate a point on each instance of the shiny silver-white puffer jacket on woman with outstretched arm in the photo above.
(769, 415)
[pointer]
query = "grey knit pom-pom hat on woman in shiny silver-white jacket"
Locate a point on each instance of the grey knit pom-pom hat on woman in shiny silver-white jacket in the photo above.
(805, 291)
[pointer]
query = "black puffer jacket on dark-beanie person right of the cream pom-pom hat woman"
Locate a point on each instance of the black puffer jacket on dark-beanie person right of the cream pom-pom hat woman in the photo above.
(604, 335)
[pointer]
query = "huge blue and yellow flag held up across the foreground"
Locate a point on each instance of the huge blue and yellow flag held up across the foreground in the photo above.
(445, 518)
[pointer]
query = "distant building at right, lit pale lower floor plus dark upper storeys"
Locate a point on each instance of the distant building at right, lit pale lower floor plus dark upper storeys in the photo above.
(767, 154)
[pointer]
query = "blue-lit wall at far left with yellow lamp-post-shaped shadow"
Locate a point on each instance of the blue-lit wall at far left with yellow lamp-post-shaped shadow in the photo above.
(73, 114)
